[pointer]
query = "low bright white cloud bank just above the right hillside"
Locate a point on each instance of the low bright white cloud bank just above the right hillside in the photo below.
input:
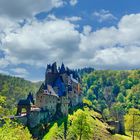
(118, 58)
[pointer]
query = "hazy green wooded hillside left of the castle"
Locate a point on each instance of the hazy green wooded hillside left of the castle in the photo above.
(13, 89)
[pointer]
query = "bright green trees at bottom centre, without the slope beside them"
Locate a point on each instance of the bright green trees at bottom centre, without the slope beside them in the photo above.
(78, 127)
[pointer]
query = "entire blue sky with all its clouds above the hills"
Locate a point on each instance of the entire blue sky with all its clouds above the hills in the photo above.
(97, 33)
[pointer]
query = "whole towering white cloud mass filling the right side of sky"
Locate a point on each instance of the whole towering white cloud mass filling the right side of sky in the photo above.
(114, 47)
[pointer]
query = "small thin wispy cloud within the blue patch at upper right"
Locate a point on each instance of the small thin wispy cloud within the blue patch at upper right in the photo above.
(104, 15)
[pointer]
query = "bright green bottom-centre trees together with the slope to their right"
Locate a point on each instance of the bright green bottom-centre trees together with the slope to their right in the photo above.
(81, 125)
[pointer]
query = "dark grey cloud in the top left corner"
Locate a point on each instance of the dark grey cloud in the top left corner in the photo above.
(21, 9)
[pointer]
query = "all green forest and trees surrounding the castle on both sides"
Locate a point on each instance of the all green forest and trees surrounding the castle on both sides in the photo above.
(107, 96)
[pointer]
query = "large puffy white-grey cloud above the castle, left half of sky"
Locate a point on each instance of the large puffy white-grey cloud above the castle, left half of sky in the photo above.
(38, 42)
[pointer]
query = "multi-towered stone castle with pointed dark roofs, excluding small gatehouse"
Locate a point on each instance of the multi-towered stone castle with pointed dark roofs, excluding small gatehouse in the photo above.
(60, 91)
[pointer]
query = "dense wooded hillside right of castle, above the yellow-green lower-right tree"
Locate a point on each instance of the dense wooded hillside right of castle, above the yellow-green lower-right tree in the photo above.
(107, 88)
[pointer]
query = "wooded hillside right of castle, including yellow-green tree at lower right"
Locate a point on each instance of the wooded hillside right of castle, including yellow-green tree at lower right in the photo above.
(116, 95)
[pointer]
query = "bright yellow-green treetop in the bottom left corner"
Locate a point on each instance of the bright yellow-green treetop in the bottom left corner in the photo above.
(13, 131)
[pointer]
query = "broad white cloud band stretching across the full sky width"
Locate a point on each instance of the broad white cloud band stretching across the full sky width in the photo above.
(38, 43)
